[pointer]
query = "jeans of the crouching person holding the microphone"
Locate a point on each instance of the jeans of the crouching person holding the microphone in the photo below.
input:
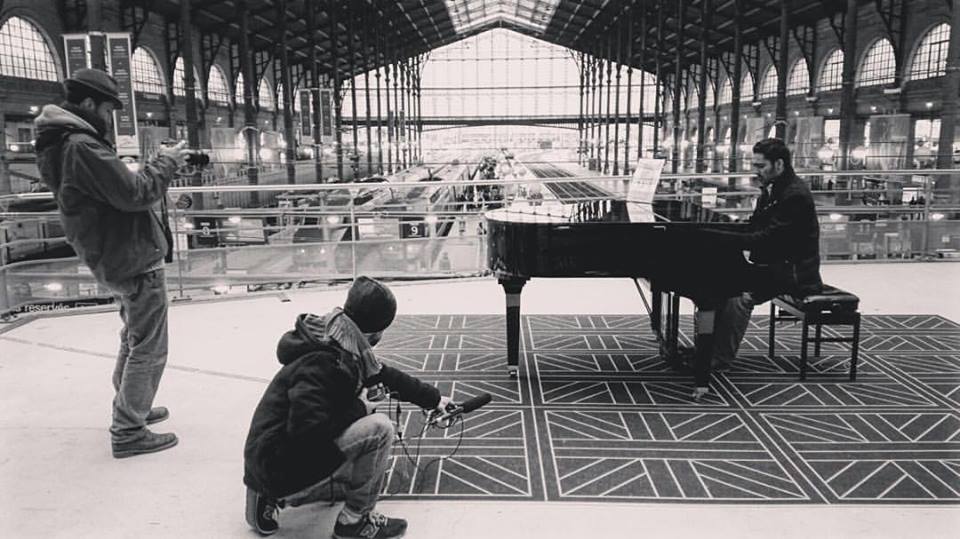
(358, 481)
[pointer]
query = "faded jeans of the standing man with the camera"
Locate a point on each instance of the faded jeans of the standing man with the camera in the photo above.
(142, 356)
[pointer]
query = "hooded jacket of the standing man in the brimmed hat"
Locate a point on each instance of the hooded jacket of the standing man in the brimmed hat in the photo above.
(107, 211)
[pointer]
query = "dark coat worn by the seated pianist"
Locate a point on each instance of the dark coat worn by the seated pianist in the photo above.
(783, 238)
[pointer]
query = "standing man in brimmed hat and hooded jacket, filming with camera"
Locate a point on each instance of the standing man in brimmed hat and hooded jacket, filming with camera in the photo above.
(110, 217)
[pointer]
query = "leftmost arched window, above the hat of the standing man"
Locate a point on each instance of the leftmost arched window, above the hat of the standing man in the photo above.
(24, 53)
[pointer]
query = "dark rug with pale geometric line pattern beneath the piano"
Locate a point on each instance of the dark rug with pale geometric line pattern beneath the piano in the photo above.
(596, 415)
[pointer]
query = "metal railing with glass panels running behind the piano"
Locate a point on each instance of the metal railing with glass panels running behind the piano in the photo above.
(253, 249)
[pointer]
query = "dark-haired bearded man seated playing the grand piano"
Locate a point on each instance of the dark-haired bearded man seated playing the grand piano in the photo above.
(784, 244)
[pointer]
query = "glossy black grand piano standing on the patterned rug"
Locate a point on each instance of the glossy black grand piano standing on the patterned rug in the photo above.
(584, 229)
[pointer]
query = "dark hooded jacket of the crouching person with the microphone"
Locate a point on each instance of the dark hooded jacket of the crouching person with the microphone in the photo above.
(291, 444)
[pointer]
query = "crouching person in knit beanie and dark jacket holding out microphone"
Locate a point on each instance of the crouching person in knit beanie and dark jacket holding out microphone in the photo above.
(315, 436)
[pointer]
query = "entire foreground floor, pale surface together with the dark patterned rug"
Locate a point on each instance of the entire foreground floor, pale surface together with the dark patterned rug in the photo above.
(595, 417)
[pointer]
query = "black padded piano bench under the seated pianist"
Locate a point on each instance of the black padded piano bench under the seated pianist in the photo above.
(831, 307)
